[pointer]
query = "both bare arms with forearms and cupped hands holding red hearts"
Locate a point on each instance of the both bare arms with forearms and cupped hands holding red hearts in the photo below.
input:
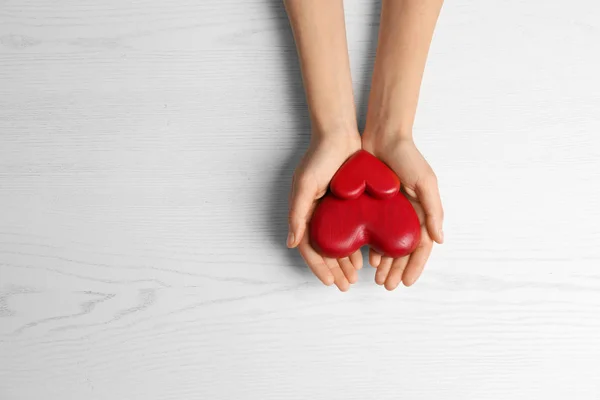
(405, 35)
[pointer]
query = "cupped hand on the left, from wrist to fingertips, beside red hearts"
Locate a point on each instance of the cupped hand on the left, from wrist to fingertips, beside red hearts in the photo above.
(311, 179)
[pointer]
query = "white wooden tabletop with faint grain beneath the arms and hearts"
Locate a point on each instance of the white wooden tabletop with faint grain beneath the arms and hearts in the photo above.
(146, 149)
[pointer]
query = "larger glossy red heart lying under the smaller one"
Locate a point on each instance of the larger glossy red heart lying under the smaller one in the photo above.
(340, 227)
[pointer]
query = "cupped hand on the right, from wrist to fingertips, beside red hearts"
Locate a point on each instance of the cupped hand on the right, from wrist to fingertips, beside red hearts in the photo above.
(419, 183)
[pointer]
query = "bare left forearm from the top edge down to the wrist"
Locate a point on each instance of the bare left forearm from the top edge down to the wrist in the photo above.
(320, 34)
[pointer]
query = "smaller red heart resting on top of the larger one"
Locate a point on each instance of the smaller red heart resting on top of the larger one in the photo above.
(364, 171)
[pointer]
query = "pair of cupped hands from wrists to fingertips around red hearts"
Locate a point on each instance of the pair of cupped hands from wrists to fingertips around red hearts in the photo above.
(326, 153)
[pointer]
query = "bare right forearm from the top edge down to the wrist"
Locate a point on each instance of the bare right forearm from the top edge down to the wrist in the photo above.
(405, 34)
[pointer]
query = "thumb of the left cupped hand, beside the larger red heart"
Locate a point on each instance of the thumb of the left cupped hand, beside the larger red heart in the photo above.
(301, 204)
